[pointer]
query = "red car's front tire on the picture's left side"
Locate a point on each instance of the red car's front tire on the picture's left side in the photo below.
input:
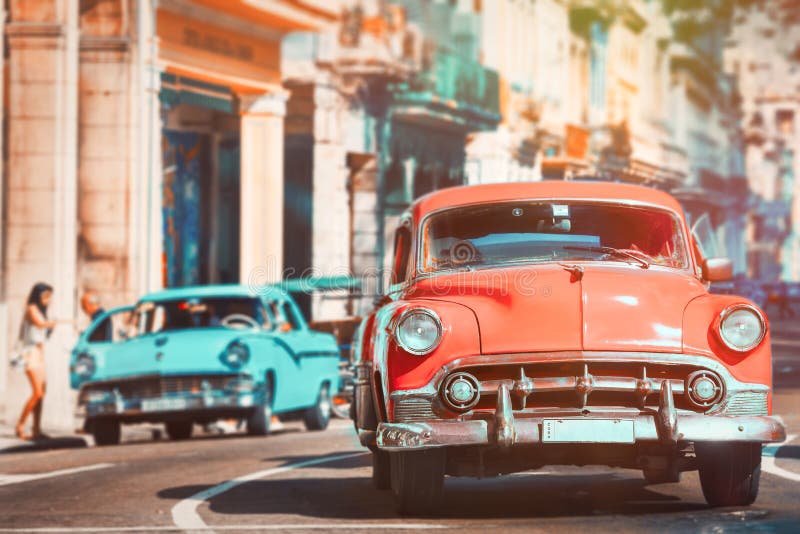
(418, 480)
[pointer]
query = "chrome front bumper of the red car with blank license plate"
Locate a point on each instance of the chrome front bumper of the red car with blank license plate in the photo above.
(505, 430)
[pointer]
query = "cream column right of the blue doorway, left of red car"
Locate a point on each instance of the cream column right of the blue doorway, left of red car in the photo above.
(261, 235)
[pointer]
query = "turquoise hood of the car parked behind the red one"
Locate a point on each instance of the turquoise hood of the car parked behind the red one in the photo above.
(194, 351)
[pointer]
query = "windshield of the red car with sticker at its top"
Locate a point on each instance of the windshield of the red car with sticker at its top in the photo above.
(525, 232)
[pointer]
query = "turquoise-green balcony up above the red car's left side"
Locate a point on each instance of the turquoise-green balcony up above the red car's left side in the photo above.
(460, 88)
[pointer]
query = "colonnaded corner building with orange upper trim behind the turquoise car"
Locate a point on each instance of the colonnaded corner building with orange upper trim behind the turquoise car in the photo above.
(145, 149)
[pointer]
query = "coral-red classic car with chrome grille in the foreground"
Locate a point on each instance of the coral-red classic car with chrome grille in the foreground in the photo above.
(559, 323)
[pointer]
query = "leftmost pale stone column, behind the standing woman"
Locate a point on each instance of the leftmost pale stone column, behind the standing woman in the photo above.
(42, 193)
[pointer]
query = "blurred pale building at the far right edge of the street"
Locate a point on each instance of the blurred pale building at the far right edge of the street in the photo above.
(763, 54)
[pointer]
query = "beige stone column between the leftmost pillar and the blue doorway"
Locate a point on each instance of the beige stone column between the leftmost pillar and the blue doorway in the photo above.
(104, 180)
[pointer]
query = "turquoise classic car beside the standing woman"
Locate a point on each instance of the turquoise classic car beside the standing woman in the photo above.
(200, 354)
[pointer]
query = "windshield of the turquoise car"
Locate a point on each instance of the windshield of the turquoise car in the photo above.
(181, 314)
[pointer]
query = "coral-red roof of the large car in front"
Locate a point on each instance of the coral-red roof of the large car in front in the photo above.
(548, 189)
